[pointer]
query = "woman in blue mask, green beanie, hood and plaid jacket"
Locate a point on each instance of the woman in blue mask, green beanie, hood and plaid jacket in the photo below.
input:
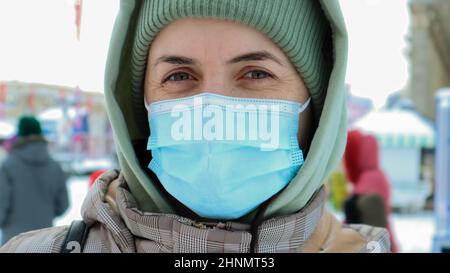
(178, 194)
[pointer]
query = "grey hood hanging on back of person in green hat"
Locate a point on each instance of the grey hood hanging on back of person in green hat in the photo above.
(32, 150)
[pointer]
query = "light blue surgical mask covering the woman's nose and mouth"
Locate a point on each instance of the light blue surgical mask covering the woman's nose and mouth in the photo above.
(224, 156)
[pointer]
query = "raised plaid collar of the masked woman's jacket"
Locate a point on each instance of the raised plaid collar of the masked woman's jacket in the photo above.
(111, 203)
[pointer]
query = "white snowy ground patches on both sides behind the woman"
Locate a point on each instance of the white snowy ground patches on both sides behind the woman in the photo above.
(414, 231)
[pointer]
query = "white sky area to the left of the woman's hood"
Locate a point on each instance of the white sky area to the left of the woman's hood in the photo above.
(38, 41)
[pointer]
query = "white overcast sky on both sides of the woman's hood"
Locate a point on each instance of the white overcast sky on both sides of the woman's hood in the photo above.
(38, 44)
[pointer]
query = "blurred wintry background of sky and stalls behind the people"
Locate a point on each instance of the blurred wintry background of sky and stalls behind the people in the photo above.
(52, 58)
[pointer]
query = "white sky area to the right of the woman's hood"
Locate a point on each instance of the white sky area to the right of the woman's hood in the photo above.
(377, 61)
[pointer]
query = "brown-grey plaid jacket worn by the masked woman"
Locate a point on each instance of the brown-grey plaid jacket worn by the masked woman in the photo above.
(117, 225)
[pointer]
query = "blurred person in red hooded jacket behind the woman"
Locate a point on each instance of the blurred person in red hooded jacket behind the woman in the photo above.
(370, 200)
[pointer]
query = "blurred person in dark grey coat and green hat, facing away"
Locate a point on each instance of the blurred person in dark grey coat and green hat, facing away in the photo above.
(32, 185)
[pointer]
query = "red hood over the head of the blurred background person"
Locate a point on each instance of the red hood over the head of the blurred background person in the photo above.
(361, 155)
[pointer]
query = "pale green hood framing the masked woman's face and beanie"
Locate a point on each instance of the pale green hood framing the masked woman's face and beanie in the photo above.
(131, 133)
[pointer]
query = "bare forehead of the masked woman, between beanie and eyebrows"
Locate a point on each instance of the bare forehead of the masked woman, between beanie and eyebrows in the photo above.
(206, 38)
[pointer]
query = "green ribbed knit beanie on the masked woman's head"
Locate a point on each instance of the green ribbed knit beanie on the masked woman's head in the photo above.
(298, 27)
